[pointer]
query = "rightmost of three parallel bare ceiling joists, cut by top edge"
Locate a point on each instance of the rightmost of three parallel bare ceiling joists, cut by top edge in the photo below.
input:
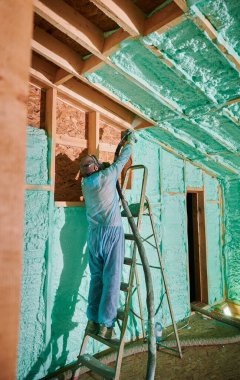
(125, 13)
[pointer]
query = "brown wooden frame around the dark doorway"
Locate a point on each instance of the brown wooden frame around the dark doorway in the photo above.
(199, 245)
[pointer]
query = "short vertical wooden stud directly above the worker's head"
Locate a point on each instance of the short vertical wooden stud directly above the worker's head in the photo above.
(93, 133)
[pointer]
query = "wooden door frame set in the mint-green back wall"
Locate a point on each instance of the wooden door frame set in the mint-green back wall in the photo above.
(201, 244)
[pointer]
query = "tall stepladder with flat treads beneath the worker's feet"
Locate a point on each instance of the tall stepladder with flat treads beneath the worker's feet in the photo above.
(138, 211)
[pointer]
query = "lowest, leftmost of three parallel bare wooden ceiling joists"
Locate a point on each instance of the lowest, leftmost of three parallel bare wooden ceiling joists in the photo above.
(56, 52)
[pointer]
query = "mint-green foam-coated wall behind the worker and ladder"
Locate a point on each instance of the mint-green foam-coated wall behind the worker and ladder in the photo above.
(56, 274)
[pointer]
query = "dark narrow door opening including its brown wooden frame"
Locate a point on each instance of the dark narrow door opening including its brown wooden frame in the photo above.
(197, 260)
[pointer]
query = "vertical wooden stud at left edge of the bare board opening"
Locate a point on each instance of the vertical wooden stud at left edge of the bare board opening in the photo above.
(51, 121)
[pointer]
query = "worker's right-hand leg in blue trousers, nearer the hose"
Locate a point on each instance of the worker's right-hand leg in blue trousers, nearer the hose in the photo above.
(113, 253)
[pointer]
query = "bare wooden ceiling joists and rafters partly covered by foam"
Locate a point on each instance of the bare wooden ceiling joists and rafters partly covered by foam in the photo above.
(56, 65)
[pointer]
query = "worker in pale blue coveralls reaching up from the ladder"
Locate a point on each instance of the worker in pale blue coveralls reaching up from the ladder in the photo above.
(105, 239)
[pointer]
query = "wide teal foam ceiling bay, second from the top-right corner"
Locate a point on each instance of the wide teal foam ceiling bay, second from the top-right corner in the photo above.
(199, 59)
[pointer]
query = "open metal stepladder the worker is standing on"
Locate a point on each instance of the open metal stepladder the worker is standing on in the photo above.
(118, 345)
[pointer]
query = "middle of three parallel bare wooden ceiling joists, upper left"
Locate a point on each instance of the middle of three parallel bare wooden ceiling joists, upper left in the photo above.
(70, 22)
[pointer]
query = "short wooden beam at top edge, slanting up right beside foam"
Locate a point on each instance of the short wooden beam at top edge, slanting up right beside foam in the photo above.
(163, 20)
